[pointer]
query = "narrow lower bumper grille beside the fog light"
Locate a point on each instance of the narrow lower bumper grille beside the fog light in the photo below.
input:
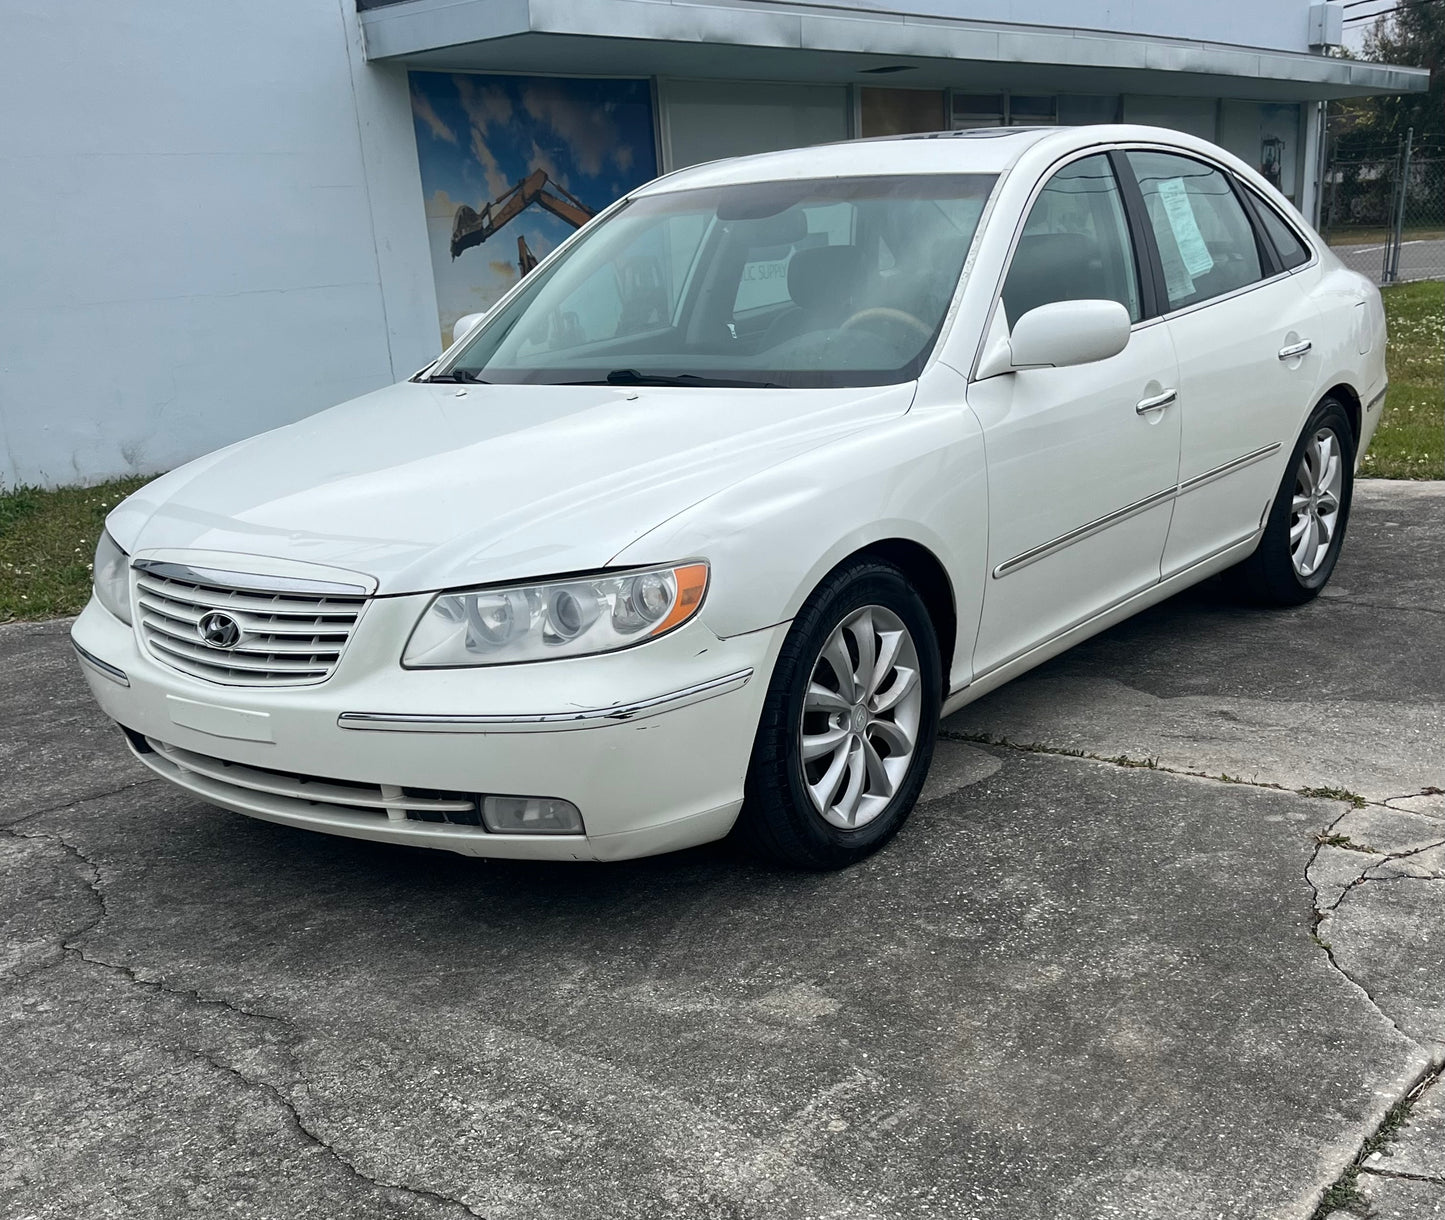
(285, 793)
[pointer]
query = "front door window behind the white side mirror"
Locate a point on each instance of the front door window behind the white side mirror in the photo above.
(1074, 245)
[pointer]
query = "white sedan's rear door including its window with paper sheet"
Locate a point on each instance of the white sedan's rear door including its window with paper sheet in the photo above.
(1242, 329)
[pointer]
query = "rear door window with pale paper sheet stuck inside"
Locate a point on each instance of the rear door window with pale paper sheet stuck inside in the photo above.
(1206, 242)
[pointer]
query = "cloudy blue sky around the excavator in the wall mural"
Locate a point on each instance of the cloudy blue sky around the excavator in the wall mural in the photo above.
(479, 137)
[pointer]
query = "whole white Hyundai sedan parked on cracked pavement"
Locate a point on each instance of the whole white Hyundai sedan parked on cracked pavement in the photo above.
(775, 463)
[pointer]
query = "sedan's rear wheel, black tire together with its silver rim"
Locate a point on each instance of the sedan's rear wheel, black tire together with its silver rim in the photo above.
(1287, 570)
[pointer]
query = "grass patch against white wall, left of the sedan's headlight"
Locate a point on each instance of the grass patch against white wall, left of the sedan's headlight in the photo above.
(47, 546)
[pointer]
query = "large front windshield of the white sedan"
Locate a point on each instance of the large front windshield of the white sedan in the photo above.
(836, 283)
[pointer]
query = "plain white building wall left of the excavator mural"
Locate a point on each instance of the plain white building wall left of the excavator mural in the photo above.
(210, 225)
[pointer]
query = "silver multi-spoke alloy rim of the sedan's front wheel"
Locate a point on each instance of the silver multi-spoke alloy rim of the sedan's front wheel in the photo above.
(860, 721)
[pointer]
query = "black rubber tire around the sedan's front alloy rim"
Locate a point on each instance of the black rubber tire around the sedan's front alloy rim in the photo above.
(775, 784)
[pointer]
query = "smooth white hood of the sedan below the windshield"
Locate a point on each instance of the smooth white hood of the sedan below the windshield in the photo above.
(431, 486)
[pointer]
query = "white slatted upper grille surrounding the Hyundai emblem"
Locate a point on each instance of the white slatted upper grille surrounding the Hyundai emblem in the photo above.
(287, 638)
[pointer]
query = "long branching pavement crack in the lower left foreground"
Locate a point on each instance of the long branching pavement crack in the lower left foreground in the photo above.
(191, 995)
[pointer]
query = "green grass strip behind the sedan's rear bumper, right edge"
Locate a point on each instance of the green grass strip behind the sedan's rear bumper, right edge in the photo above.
(1411, 439)
